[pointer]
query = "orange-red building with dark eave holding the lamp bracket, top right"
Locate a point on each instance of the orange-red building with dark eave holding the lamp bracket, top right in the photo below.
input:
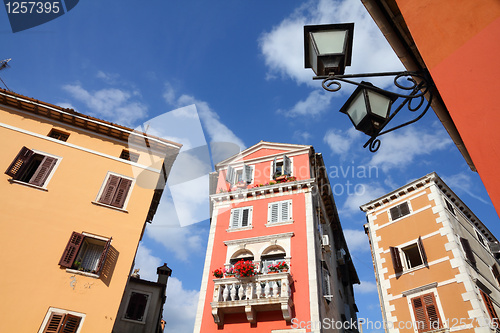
(457, 43)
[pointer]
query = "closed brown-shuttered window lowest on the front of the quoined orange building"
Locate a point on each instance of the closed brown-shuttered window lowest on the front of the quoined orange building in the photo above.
(426, 313)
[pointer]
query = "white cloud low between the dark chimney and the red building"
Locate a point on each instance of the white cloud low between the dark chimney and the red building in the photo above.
(180, 307)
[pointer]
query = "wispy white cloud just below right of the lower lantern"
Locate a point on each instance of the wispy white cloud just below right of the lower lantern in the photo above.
(402, 147)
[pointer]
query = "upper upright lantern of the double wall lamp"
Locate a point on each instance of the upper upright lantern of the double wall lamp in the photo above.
(328, 47)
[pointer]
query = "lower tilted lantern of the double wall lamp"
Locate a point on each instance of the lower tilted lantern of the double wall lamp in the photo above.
(368, 109)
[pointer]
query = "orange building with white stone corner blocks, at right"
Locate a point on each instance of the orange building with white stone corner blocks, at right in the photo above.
(435, 262)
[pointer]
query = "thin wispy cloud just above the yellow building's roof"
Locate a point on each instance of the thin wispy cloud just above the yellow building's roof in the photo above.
(112, 104)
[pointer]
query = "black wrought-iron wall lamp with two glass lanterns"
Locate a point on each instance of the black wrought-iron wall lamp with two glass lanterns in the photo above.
(328, 50)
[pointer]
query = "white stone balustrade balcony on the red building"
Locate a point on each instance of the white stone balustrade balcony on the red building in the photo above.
(267, 292)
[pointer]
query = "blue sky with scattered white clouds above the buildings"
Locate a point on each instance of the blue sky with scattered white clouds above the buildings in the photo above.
(241, 64)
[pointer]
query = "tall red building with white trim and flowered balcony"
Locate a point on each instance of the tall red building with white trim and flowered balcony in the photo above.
(273, 209)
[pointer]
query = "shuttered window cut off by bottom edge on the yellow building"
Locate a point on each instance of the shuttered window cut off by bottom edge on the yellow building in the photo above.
(61, 321)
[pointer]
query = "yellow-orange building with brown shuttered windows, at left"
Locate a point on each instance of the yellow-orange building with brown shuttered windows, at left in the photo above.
(74, 201)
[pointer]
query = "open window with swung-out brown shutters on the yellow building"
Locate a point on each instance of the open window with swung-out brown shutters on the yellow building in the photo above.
(85, 253)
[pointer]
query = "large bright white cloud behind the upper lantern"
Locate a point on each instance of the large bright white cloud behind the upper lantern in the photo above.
(282, 47)
